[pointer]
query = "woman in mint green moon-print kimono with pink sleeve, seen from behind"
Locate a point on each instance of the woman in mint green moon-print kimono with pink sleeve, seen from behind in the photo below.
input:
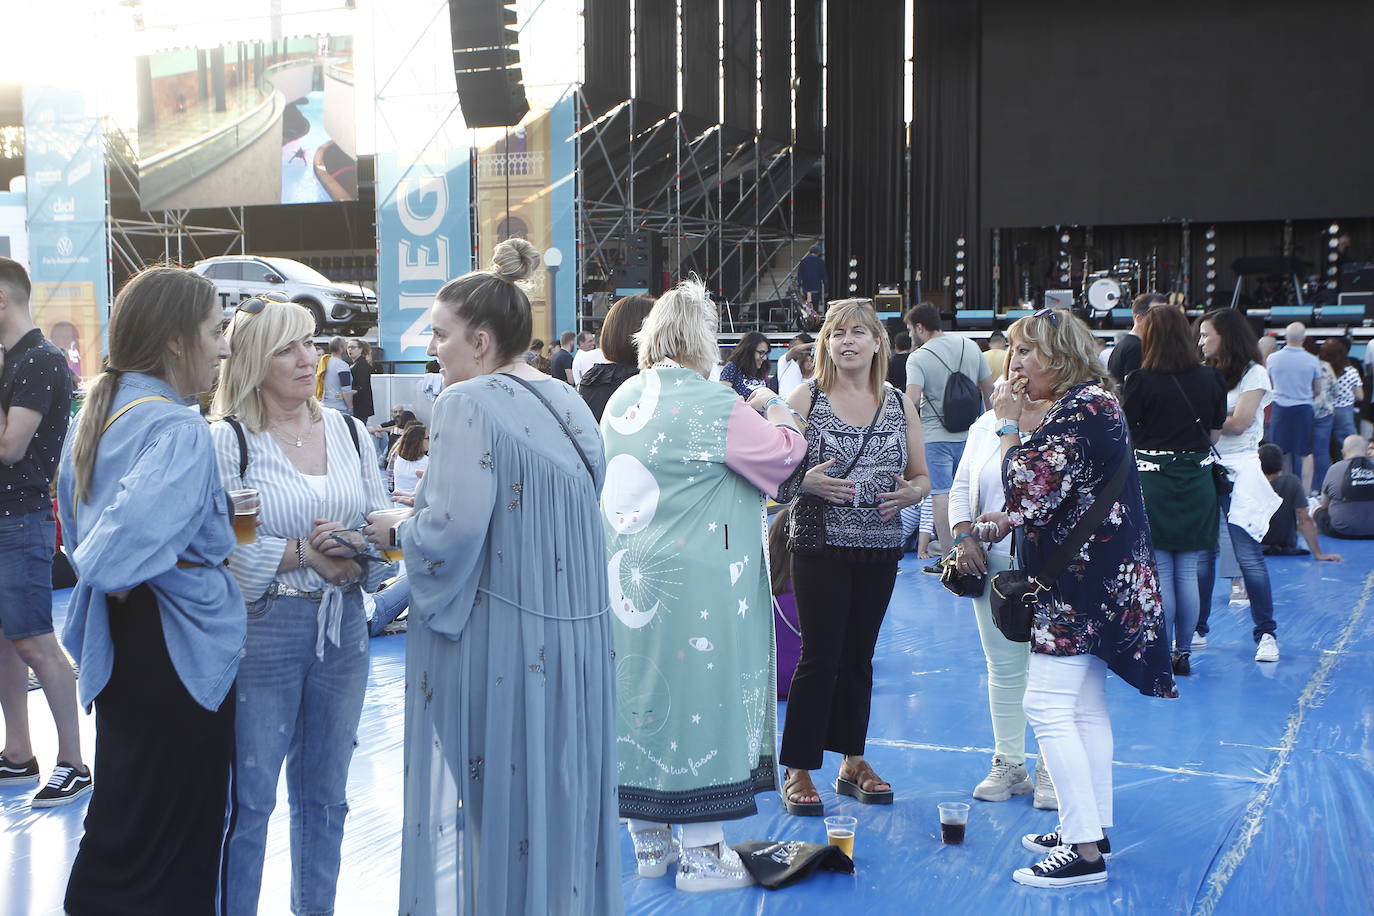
(688, 466)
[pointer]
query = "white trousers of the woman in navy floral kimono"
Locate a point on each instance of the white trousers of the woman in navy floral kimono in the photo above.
(1067, 707)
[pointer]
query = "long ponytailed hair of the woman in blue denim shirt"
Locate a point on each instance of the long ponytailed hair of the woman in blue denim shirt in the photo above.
(155, 308)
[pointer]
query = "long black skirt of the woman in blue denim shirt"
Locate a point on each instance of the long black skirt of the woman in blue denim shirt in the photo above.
(155, 832)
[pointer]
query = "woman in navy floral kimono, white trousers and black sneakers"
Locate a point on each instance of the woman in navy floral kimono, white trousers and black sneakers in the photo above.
(1105, 609)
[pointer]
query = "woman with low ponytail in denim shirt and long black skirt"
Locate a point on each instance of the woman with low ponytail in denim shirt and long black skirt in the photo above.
(156, 619)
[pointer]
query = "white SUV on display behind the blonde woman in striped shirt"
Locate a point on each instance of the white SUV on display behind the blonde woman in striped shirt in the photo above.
(339, 308)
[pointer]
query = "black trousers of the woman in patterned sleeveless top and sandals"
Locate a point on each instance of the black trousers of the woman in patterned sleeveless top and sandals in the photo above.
(840, 608)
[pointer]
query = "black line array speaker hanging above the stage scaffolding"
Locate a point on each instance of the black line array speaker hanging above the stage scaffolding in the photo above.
(487, 62)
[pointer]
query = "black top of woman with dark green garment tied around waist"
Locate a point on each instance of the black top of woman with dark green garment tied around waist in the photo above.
(1162, 417)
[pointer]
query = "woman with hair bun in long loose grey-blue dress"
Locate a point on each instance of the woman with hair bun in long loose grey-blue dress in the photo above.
(510, 760)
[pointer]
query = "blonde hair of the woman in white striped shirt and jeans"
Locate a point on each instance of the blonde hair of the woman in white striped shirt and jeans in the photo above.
(254, 341)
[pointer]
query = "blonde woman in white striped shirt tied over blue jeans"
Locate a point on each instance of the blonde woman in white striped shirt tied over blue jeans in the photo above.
(304, 667)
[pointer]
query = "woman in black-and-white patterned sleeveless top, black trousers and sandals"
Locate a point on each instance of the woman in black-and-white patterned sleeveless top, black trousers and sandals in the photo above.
(866, 477)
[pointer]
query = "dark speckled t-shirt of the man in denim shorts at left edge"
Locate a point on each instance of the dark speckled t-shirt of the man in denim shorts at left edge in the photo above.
(36, 377)
